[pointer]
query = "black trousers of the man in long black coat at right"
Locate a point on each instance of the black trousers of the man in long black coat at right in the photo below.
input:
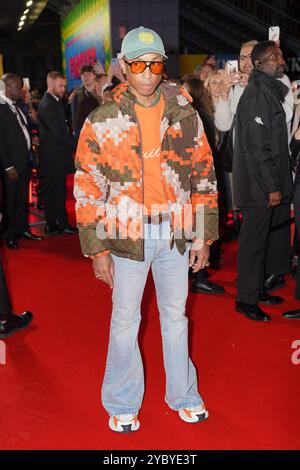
(254, 249)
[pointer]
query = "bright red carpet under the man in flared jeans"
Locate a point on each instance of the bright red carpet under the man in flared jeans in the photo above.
(50, 385)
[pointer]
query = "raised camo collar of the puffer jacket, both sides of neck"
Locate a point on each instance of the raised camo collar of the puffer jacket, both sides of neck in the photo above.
(177, 101)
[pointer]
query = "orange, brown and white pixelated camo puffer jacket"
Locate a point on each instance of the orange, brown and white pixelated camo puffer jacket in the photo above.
(108, 183)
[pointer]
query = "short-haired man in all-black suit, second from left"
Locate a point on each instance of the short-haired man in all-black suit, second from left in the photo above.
(56, 146)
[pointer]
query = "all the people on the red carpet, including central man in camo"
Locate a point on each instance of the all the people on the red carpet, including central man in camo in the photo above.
(166, 170)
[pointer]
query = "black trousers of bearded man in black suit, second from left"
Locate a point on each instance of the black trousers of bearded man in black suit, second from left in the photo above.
(54, 184)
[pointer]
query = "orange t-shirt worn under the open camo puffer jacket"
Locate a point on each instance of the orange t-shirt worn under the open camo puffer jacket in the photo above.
(149, 119)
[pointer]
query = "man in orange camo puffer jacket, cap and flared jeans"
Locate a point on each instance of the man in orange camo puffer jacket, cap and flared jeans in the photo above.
(145, 187)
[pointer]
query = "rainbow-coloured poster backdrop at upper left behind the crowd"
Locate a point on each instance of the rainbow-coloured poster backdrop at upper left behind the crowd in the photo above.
(85, 38)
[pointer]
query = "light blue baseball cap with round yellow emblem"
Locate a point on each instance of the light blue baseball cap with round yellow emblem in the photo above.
(140, 41)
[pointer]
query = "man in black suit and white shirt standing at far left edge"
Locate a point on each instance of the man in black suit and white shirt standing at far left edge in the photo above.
(15, 144)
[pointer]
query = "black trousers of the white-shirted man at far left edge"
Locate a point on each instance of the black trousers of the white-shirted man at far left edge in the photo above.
(16, 205)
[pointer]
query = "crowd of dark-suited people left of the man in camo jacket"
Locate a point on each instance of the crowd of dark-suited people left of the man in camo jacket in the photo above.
(38, 139)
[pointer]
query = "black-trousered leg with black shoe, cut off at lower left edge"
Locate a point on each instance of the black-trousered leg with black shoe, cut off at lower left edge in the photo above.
(9, 322)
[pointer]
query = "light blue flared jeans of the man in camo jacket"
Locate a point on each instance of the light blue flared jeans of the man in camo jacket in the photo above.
(123, 385)
